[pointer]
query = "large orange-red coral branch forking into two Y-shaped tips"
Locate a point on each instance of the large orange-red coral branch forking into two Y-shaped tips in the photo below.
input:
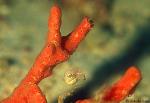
(57, 49)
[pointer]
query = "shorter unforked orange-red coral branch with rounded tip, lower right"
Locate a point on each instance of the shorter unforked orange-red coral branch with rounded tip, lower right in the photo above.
(119, 90)
